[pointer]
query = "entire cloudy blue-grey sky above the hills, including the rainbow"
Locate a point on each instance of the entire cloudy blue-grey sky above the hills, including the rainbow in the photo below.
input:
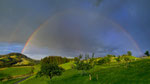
(71, 27)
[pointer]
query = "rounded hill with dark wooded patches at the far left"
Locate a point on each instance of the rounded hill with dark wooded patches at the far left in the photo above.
(15, 59)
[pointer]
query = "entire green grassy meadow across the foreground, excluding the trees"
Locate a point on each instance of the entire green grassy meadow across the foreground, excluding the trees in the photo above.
(119, 70)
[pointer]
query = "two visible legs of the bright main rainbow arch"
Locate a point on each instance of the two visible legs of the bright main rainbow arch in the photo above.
(111, 21)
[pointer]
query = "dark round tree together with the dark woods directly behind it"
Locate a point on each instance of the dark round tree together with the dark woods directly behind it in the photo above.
(50, 68)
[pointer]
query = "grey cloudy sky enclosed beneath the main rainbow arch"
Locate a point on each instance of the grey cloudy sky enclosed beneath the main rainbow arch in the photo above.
(71, 33)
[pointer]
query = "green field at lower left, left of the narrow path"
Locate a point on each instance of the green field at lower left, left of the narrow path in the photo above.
(13, 74)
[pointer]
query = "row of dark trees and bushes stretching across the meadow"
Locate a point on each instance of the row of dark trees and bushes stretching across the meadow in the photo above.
(50, 65)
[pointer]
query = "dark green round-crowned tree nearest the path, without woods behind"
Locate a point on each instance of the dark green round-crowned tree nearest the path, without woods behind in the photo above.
(50, 70)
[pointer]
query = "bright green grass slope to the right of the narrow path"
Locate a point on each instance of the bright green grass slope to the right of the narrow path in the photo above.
(137, 72)
